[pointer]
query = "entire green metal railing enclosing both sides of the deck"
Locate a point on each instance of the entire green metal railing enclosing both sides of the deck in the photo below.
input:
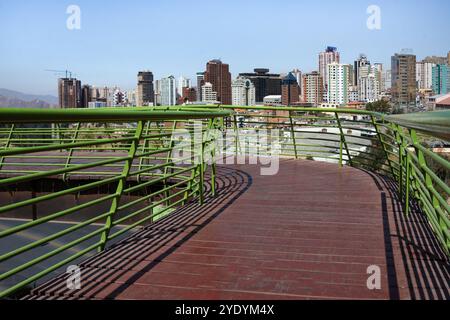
(102, 147)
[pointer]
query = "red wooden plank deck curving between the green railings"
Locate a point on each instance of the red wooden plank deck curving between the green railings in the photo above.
(309, 232)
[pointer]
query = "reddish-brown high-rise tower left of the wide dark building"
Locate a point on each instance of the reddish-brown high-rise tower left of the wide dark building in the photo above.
(218, 74)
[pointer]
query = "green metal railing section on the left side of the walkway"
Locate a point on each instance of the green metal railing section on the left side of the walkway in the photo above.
(127, 153)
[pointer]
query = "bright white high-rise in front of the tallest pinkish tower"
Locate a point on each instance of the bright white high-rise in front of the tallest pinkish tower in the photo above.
(338, 82)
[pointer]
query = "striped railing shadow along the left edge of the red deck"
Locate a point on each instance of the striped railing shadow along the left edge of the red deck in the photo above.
(159, 239)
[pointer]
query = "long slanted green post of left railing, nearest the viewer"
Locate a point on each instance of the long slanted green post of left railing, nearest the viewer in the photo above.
(121, 184)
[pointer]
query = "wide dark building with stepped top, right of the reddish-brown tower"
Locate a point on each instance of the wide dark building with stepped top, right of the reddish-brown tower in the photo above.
(266, 84)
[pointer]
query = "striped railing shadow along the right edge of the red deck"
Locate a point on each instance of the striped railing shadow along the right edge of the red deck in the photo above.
(426, 265)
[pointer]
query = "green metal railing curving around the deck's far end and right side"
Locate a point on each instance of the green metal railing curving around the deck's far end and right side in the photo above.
(396, 146)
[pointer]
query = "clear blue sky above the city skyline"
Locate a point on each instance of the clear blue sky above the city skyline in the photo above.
(118, 38)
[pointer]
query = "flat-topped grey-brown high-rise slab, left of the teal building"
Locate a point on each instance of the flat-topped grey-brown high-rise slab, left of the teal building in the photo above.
(404, 85)
